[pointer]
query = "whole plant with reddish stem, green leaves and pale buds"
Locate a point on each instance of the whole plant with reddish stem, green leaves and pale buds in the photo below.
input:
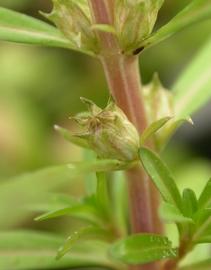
(128, 135)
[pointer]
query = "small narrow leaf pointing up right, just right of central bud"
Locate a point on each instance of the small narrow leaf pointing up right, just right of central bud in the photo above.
(153, 128)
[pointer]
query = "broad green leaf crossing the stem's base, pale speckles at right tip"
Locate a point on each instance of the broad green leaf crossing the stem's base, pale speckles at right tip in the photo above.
(142, 249)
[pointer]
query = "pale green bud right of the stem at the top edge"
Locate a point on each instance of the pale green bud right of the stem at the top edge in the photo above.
(134, 21)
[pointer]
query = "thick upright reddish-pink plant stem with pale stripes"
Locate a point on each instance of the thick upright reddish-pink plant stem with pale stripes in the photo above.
(122, 74)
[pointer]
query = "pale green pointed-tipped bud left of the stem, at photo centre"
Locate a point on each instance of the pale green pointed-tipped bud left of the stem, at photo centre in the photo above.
(109, 133)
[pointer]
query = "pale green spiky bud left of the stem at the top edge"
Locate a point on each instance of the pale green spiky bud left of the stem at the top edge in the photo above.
(73, 18)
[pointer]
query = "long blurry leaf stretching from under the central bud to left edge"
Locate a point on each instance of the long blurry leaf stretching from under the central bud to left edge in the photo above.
(31, 188)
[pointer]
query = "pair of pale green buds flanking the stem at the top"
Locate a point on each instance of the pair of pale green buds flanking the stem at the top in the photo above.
(133, 22)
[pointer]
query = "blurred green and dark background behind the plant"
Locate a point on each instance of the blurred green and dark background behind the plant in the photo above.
(40, 87)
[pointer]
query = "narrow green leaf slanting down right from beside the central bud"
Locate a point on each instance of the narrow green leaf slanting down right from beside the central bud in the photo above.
(161, 176)
